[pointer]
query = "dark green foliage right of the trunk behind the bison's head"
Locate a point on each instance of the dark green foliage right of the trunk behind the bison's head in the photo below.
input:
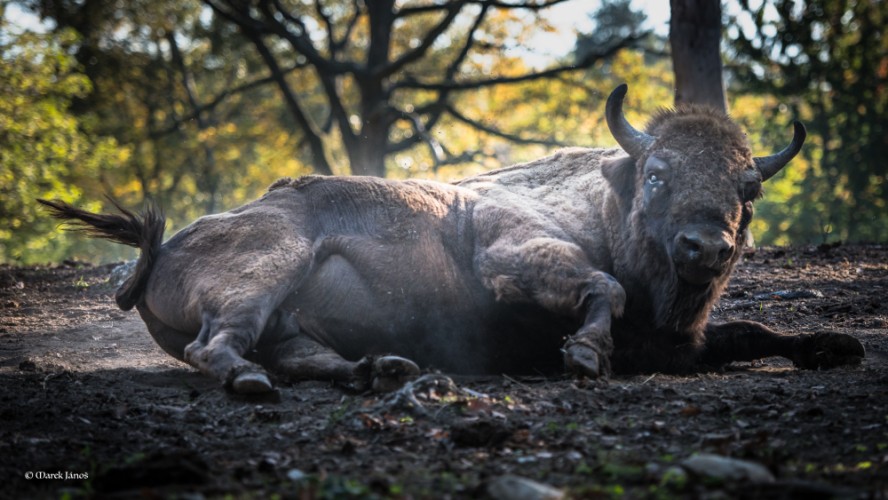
(826, 64)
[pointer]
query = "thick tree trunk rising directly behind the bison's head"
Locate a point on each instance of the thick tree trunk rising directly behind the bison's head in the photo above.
(694, 34)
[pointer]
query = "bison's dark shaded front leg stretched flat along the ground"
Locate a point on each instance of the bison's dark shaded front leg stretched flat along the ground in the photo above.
(748, 340)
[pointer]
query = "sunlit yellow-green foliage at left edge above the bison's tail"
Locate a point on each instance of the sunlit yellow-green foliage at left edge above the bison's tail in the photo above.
(45, 151)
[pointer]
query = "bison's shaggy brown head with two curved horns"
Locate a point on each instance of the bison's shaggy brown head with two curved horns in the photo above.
(689, 184)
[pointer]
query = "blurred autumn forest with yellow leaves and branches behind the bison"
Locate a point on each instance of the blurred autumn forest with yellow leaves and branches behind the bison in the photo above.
(199, 105)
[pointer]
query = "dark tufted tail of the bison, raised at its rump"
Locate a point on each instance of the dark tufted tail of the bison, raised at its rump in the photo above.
(143, 231)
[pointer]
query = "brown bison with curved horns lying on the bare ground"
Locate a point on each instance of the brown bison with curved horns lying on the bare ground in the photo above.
(596, 260)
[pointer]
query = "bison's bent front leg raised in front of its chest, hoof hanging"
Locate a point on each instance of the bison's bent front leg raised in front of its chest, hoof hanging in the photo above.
(556, 275)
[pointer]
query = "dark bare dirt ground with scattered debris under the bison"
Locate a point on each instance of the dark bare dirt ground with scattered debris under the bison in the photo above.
(87, 396)
